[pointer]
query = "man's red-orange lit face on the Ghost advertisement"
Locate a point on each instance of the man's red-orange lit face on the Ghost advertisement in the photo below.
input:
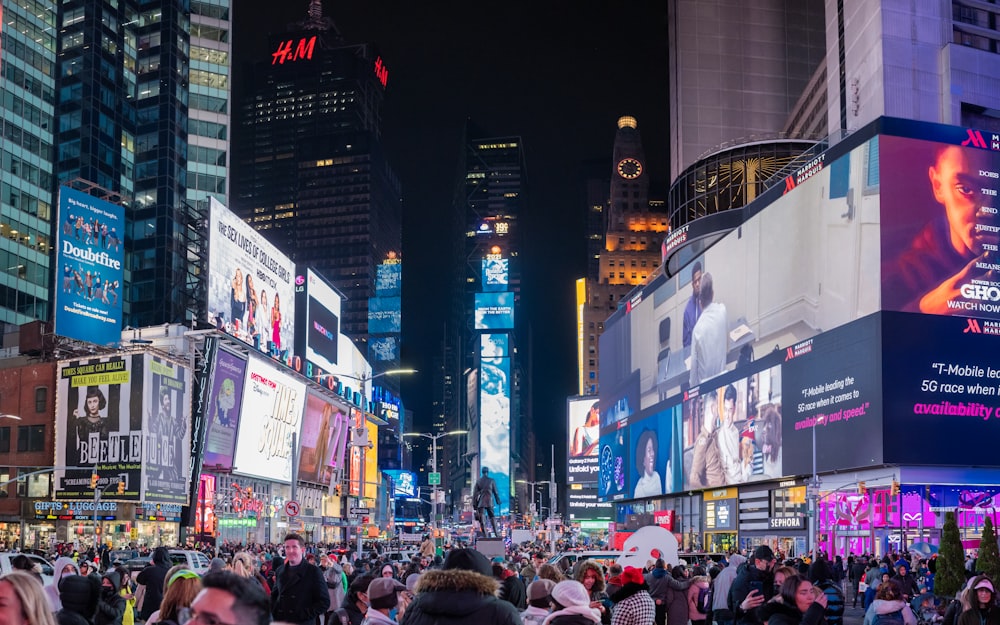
(953, 180)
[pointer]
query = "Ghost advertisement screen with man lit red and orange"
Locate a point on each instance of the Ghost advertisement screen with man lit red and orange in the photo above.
(941, 228)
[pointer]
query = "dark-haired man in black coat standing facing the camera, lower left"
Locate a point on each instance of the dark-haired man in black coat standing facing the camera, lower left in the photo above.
(299, 595)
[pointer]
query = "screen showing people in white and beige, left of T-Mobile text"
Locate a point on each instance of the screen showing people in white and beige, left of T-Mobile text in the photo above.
(733, 433)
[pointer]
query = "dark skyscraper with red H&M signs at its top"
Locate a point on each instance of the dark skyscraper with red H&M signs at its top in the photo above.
(311, 171)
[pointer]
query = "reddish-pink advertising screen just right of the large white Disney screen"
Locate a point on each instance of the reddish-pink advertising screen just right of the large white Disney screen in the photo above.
(325, 432)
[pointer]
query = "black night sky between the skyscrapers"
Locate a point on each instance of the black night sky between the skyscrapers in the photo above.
(559, 75)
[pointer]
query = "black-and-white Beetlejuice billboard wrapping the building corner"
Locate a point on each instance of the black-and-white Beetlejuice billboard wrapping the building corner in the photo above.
(127, 419)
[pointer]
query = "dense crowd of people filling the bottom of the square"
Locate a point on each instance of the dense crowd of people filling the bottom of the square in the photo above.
(304, 584)
